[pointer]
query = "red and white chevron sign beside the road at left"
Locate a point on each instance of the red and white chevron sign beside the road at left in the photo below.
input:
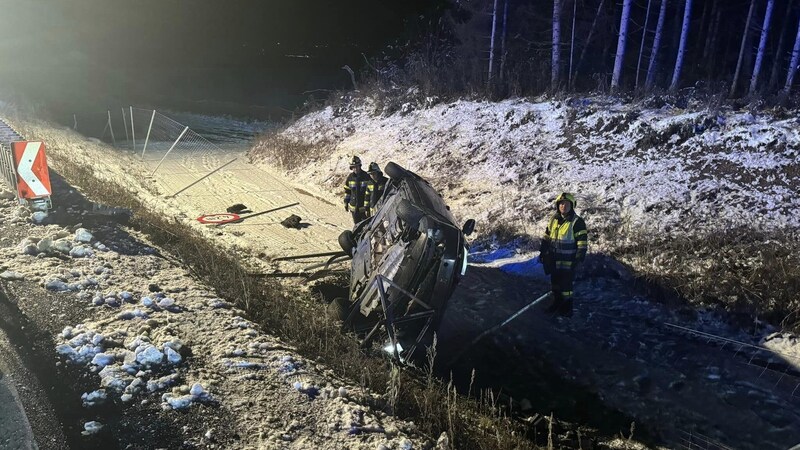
(33, 177)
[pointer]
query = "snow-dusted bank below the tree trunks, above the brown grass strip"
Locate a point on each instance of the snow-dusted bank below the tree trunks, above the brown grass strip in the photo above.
(653, 169)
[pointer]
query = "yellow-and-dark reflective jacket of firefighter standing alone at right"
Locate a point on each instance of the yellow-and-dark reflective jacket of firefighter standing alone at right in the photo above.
(566, 238)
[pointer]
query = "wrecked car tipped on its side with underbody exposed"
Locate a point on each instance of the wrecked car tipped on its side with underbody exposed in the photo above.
(406, 262)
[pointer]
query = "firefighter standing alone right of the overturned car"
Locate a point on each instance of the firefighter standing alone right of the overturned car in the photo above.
(563, 248)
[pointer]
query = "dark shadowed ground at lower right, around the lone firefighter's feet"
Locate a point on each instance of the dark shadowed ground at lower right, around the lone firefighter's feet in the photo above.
(633, 355)
